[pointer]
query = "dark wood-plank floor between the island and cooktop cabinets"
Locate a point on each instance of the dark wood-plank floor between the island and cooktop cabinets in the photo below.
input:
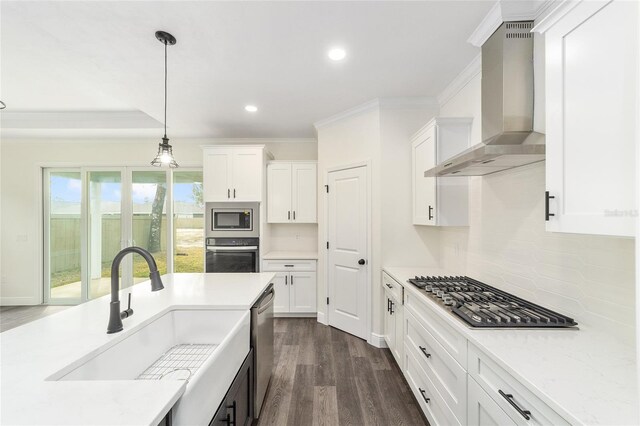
(324, 376)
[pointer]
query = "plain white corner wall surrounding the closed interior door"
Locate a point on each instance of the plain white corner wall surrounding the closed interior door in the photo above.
(379, 135)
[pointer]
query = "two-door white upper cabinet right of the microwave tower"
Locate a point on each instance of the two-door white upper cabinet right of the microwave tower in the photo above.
(291, 192)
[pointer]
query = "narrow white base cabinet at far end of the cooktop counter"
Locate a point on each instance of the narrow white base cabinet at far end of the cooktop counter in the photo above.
(394, 317)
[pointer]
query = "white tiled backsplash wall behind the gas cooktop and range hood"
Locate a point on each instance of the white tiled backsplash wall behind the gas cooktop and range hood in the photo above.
(588, 277)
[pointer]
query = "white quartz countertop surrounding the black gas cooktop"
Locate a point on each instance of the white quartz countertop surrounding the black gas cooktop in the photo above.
(586, 376)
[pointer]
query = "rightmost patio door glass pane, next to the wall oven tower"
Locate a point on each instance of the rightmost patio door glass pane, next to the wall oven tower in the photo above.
(188, 211)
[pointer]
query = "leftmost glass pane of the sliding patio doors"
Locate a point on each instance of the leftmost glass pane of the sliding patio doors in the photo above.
(65, 195)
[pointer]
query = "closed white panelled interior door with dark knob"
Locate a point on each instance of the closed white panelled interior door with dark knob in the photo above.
(348, 240)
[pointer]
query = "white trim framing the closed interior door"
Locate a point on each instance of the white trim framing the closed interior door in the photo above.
(324, 319)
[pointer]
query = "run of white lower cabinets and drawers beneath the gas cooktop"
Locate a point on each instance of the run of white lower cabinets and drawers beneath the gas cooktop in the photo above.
(453, 381)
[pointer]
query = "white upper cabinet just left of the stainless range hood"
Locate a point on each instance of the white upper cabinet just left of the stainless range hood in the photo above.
(440, 201)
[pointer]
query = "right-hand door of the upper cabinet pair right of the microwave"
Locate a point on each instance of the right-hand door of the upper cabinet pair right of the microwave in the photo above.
(304, 192)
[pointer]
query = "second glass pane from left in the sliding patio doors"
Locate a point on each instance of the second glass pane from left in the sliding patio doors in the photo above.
(105, 228)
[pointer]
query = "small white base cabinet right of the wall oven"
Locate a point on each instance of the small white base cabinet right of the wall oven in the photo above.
(295, 285)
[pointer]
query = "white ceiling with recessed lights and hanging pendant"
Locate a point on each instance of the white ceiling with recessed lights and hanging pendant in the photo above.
(99, 57)
